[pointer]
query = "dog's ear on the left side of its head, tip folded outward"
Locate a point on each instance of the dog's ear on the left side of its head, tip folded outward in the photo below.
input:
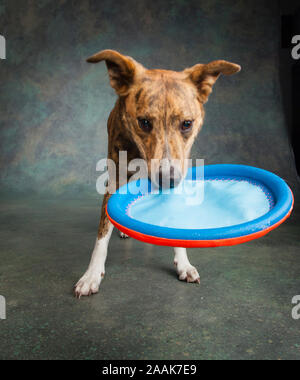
(121, 69)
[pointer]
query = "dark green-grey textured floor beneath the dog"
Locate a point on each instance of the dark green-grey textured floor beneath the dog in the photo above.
(241, 310)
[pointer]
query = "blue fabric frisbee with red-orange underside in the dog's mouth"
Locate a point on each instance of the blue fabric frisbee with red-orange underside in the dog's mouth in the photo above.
(230, 204)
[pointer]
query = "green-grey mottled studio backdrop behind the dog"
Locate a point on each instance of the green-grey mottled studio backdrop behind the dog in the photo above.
(54, 106)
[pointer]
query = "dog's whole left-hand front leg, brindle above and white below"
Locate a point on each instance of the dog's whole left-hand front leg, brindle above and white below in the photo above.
(90, 281)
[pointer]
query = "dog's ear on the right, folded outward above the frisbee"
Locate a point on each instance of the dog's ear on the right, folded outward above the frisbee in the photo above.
(204, 76)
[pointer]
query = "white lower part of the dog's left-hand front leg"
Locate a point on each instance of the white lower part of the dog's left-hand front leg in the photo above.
(90, 281)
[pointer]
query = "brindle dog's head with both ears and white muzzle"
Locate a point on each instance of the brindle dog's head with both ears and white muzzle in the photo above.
(163, 109)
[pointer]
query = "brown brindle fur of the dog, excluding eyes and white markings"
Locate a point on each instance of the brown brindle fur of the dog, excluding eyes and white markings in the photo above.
(166, 98)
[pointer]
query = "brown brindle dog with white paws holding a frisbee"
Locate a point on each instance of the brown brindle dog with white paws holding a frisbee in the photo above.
(158, 115)
